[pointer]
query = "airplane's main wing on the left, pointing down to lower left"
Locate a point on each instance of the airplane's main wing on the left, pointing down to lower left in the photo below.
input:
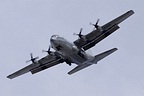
(42, 64)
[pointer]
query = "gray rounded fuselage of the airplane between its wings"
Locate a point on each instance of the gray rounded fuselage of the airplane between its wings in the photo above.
(68, 50)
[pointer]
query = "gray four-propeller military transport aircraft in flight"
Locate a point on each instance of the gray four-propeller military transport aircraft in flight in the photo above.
(74, 52)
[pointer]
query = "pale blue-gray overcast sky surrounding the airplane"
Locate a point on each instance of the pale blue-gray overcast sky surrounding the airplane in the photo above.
(27, 25)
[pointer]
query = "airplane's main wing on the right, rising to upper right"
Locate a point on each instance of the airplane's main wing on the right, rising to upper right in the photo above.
(91, 39)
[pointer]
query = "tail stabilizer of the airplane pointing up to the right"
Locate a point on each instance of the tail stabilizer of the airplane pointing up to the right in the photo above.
(104, 54)
